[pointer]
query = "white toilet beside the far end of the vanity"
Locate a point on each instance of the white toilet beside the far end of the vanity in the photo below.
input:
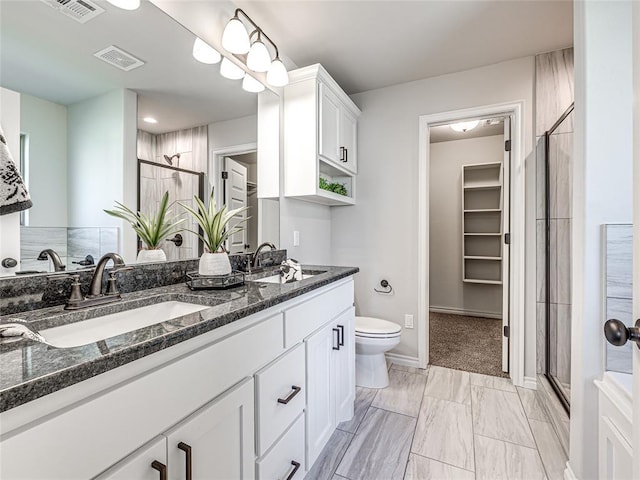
(374, 337)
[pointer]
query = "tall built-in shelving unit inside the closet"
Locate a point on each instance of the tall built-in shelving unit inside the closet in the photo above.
(482, 201)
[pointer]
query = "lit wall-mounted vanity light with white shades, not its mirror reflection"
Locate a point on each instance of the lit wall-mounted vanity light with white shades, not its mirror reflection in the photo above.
(237, 40)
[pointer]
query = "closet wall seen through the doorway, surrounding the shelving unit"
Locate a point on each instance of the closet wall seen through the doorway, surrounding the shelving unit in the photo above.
(446, 288)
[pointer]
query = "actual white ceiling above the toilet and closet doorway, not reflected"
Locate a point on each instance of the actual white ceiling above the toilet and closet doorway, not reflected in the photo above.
(366, 45)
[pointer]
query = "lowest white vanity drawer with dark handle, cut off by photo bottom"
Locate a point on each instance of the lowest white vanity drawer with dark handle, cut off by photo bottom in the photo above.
(281, 461)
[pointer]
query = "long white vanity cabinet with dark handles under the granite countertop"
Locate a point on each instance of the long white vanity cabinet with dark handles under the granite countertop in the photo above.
(234, 402)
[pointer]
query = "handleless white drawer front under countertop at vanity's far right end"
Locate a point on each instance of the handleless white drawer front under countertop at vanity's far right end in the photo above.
(304, 319)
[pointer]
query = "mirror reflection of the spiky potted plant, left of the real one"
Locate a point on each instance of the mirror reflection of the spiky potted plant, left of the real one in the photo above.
(152, 229)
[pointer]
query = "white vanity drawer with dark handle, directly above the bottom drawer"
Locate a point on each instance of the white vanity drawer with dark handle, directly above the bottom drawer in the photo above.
(276, 382)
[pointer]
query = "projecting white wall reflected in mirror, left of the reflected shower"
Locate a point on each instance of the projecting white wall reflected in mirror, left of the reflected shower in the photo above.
(102, 160)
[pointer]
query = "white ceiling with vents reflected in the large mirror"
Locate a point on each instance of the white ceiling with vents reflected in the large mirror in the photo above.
(48, 55)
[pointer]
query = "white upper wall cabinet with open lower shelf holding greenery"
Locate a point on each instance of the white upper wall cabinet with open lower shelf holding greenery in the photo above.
(320, 139)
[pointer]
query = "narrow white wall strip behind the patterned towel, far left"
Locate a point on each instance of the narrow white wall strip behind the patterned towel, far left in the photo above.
(10, 224)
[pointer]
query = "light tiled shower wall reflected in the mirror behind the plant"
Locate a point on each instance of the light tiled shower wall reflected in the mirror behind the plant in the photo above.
(192, 146)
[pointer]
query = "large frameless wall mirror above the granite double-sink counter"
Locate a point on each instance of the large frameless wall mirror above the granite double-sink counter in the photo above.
(85, 143)
